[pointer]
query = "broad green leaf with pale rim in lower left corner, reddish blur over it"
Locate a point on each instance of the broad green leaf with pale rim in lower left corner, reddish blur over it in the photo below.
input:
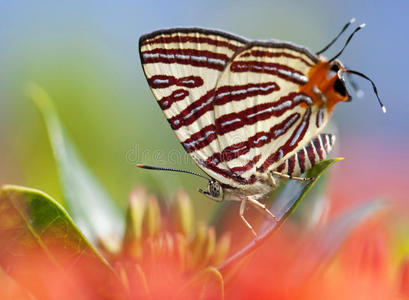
(45, 252)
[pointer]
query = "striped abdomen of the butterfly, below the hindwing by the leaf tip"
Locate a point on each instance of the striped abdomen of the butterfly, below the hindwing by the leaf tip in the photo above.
(314, 152)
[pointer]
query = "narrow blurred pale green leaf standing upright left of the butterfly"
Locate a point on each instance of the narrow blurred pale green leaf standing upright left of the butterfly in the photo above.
(90, 205)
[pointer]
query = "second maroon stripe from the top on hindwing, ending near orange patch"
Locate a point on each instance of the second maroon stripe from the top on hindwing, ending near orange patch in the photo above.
(278, 70)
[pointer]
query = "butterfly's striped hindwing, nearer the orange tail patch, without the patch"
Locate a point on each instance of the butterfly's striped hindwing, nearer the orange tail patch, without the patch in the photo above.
(261, 116)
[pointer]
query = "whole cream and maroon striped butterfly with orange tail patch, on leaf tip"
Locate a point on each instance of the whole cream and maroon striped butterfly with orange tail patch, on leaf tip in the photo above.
(248, 112)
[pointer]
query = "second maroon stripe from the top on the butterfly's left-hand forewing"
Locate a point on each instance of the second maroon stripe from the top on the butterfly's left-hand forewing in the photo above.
(193, 57)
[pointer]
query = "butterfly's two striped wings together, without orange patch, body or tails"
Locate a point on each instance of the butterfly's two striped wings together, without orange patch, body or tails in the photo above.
(235, 105)
